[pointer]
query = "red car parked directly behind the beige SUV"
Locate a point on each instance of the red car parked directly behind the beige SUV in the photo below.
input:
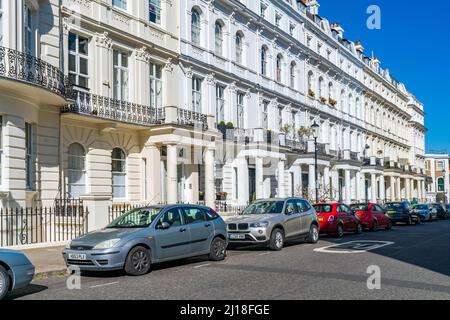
(337, 219)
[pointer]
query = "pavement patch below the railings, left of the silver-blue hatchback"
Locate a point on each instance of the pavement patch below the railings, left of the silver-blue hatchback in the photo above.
(46, 260)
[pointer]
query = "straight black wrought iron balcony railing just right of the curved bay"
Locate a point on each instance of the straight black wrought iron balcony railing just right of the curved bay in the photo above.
(111, 109)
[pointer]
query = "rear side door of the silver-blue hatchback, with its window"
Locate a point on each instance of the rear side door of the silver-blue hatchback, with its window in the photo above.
(201, 229)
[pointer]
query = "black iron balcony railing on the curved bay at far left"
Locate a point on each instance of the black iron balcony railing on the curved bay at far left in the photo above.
(24, 67)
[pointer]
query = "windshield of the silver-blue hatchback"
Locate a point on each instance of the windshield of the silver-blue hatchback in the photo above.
(137, 218)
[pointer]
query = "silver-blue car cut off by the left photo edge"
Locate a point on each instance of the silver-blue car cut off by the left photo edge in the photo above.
(16, 271)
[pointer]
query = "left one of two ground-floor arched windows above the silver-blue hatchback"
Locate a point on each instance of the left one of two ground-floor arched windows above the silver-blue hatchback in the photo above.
(76, 170)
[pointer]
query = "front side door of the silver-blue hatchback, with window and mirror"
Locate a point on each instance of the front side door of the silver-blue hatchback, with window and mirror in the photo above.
(175, 241)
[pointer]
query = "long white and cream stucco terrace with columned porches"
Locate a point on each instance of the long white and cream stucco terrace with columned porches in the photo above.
(196, 101)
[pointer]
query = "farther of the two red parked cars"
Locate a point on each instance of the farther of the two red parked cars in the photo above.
(372, 216)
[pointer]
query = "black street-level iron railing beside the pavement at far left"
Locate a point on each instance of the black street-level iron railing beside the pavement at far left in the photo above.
(24, 226)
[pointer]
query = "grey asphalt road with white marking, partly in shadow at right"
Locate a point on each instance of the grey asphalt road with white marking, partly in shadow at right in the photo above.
(415, 266)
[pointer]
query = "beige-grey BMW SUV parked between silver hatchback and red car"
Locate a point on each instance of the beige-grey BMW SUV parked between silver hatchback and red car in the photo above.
(272, 221)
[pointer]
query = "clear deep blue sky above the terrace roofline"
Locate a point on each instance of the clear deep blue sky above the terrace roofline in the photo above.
(414, 43)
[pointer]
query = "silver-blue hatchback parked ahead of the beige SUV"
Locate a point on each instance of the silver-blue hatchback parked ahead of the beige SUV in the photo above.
(144, 236)
